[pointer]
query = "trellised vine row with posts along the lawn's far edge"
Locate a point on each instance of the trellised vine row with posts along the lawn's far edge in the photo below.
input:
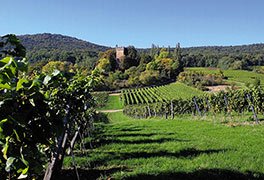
(244, 100)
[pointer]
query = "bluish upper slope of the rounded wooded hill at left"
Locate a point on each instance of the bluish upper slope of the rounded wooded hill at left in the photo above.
(57, 41)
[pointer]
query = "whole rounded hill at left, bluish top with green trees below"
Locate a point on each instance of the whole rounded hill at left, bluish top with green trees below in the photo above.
(55, 47)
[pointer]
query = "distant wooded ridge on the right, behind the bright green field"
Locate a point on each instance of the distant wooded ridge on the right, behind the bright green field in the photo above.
(234, 57)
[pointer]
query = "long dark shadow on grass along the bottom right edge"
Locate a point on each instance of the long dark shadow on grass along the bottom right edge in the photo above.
(203, 174)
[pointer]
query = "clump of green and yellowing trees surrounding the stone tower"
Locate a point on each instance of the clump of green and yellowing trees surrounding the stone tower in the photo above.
(139, 70)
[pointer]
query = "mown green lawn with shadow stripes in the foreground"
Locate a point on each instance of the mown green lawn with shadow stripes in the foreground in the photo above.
(183, 148)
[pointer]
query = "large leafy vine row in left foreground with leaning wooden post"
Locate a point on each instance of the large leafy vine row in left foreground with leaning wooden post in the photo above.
(41, 117)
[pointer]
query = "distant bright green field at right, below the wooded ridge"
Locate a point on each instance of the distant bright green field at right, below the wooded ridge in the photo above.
(240, 77)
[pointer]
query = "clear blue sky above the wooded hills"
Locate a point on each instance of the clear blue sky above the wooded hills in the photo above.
(139, 22)
